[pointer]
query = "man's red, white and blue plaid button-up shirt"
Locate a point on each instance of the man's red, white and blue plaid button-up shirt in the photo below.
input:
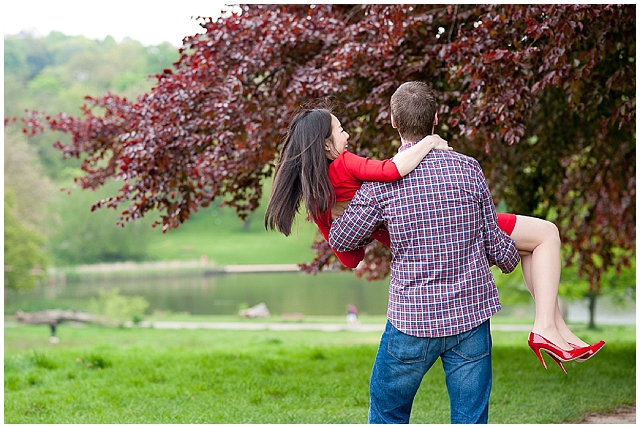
(444, 236)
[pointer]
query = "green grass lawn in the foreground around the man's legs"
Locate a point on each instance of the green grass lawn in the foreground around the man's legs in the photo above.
(104, 375)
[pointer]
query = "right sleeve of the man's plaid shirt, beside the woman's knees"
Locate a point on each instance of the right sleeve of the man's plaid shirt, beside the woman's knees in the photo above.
(500, 248)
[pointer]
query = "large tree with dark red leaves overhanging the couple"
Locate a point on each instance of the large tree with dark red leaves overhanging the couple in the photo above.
(542, 95)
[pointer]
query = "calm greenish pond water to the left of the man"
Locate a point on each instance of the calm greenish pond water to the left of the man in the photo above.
(324, 294)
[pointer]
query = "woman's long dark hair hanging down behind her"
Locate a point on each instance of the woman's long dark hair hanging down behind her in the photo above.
(302, 172)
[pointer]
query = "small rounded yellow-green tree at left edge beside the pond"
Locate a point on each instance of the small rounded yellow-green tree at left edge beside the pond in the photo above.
(25, 259)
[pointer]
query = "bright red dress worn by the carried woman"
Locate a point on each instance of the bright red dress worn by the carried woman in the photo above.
(346, 173)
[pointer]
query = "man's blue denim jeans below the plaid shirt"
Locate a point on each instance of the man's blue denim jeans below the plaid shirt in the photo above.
(403, 360)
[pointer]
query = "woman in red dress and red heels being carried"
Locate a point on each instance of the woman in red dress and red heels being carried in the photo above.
(315, 167)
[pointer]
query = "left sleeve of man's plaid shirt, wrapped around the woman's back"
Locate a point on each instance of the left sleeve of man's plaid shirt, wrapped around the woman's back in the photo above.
(352, 230)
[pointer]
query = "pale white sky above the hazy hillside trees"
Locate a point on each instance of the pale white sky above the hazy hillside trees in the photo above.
(149, 22)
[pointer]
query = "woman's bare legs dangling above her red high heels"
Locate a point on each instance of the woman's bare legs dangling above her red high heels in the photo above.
(539, 243)
